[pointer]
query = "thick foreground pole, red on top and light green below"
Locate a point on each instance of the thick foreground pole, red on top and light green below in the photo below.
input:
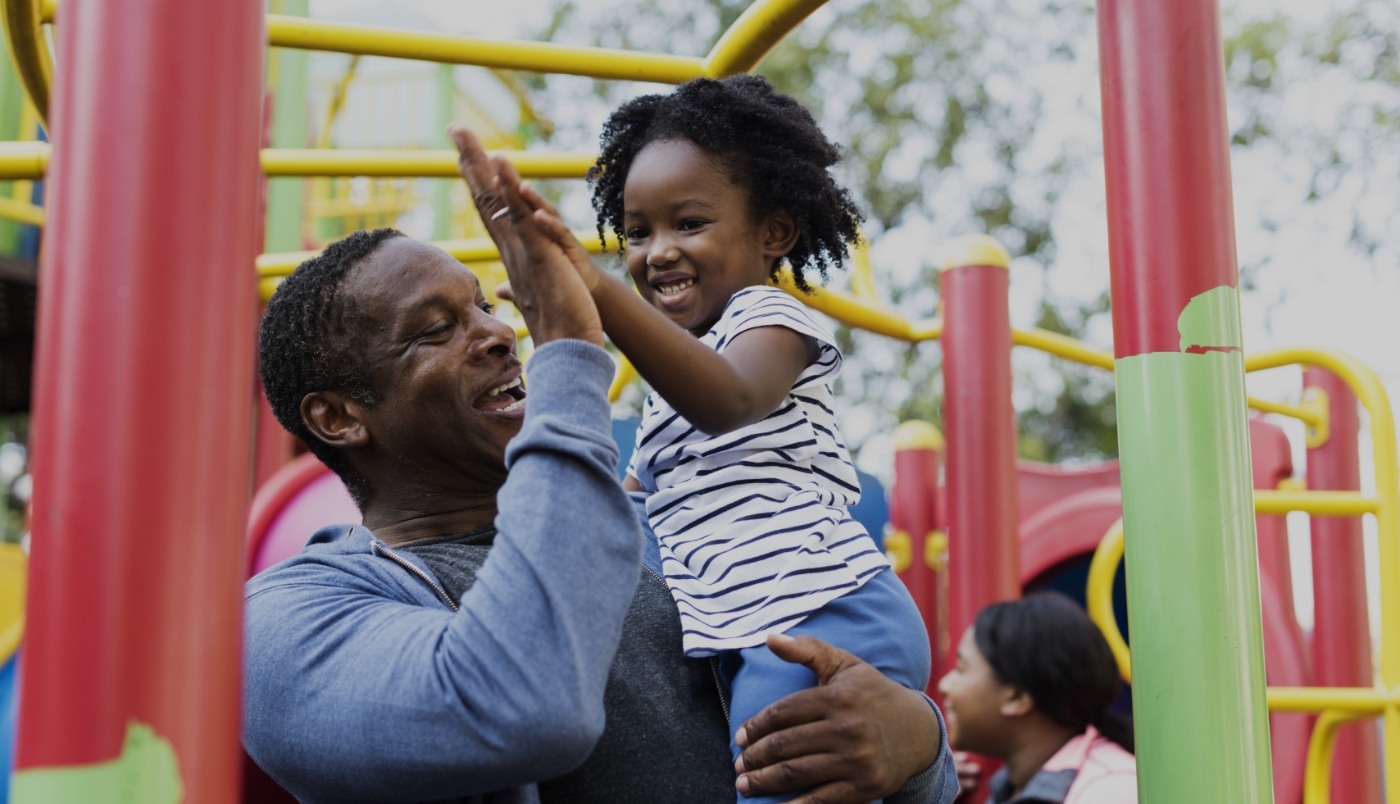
(1188, 505)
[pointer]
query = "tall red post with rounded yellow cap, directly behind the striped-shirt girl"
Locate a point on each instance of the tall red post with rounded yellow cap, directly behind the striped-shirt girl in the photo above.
(981, 429)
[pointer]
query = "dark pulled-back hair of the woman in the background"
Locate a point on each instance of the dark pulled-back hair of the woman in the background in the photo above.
(1049, 648)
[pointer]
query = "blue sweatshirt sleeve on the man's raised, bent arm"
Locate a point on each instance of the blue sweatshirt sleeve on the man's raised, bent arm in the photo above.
(359, 694)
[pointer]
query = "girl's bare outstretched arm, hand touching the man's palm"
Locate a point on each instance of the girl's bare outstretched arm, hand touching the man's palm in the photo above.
(716, 393)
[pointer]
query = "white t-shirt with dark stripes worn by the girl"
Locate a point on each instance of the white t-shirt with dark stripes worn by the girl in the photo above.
(754, 525)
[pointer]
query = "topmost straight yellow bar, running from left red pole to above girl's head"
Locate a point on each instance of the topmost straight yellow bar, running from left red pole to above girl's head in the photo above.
(453, 50)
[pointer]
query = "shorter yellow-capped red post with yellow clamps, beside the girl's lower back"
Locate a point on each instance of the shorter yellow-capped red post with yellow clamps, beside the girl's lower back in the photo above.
(919, 547)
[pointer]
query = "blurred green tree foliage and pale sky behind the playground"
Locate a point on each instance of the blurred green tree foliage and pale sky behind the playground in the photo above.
(982, 117)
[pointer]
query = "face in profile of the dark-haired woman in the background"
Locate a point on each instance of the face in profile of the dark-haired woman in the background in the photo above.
(975, 701)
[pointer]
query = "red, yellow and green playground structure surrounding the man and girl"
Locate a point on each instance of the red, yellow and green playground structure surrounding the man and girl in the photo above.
(163, 575)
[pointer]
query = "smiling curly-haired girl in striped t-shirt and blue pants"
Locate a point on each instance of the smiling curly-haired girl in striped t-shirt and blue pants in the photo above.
(747, 477)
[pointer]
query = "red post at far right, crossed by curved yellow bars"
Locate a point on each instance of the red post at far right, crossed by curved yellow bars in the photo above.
(1342, 625)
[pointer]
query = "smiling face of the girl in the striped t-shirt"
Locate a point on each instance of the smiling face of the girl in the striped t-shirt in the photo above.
(691, 240)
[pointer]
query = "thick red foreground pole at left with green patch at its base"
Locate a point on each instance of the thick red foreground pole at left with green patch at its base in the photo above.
(142, 417)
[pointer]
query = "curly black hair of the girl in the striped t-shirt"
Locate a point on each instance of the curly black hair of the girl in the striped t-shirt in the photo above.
(766, 141)
